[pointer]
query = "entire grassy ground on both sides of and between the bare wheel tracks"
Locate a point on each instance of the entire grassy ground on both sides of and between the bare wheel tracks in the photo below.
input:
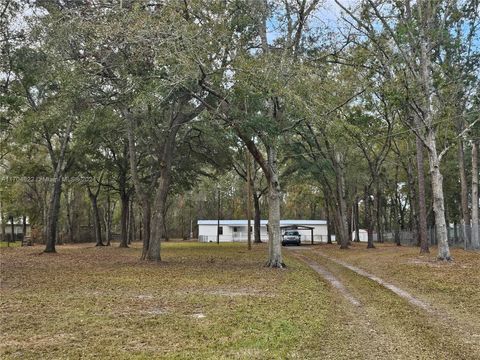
(209, 301)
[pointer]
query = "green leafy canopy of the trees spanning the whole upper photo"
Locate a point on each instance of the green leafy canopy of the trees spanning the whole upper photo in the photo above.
(328, 97)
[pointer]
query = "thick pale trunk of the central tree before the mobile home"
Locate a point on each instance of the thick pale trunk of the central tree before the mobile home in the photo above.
(274, 233)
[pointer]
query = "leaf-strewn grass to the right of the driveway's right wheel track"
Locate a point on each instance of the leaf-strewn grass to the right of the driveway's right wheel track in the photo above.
(451, 286)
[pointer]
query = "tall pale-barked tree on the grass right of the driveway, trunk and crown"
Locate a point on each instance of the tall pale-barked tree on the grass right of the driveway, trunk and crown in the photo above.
(417, 27)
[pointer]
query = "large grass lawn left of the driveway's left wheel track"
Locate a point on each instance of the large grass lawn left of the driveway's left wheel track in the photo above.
(204, 301)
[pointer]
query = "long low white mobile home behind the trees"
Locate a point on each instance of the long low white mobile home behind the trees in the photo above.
(236, 230)
